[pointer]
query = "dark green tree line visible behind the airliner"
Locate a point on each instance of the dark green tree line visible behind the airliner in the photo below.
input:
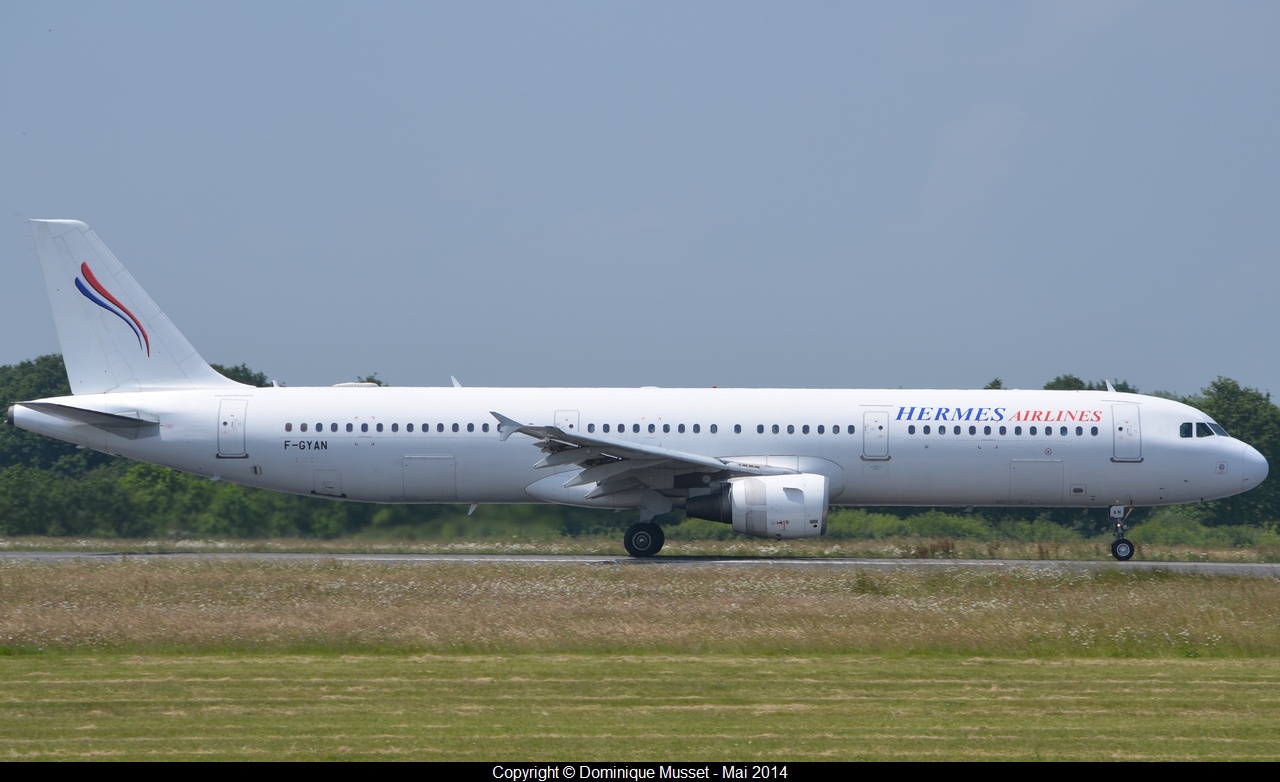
(53, 488)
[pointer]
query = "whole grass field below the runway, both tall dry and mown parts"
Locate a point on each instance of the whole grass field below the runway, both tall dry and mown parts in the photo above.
(212, 660)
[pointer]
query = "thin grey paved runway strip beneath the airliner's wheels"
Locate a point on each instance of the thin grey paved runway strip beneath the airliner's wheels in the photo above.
(1250, 570)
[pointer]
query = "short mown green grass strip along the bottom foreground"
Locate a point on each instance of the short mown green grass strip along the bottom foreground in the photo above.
(597, 707)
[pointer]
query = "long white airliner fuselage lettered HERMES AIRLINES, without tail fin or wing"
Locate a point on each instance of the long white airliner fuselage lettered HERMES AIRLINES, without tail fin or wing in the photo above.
(875, 447)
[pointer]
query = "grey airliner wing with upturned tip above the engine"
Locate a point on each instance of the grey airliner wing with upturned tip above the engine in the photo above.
(620, 465)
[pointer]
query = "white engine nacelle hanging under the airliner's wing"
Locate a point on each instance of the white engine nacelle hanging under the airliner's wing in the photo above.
(772, 506)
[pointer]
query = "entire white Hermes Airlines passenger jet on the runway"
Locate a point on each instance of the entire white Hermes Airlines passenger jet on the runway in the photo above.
(770, 463)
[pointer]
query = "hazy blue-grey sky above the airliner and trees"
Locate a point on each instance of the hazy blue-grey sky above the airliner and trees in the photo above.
(665, 194)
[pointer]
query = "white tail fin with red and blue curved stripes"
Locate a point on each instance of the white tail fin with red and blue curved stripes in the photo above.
(115, 339)
